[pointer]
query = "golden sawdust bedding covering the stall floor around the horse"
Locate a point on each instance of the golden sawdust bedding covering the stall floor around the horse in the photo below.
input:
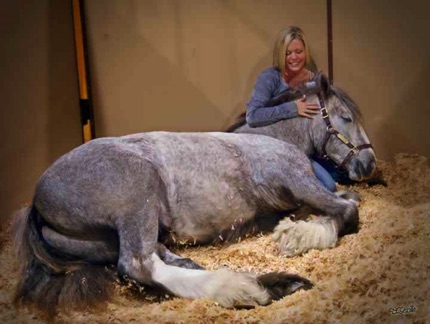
(384, 266)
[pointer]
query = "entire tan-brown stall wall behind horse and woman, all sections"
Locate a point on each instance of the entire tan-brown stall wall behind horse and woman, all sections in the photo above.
(191, 65)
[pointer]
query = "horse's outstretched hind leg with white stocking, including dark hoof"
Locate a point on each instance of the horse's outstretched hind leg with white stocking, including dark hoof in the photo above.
(141, 259)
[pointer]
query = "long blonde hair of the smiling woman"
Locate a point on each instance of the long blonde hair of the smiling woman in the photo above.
(285, 37)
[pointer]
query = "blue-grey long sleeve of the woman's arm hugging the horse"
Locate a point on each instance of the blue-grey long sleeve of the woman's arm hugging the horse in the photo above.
(266, 87)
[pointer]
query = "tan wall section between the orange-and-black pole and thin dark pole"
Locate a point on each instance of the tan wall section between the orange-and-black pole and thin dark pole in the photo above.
(186, 65)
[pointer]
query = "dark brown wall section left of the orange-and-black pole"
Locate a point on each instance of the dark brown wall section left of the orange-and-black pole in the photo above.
(38, 87)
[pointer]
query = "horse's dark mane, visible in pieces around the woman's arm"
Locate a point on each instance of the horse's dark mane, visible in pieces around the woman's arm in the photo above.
(289, 95)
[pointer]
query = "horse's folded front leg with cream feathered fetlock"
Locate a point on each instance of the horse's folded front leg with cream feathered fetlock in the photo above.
(339, 217)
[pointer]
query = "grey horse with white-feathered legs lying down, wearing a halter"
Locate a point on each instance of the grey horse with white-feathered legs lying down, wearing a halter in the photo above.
(121, 202)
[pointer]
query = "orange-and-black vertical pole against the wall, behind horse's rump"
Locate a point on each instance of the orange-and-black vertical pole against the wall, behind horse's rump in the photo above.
(85, 102)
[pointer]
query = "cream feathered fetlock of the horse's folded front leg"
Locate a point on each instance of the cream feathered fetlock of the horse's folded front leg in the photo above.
(296, 238)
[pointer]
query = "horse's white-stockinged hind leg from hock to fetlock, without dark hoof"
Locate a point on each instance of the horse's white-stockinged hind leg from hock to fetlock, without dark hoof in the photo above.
(141, 259)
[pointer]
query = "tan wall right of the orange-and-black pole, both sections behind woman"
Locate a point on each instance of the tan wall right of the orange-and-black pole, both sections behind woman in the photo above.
(191, 65)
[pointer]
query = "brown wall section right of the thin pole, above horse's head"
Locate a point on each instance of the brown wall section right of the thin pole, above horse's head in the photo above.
(382, 57)
